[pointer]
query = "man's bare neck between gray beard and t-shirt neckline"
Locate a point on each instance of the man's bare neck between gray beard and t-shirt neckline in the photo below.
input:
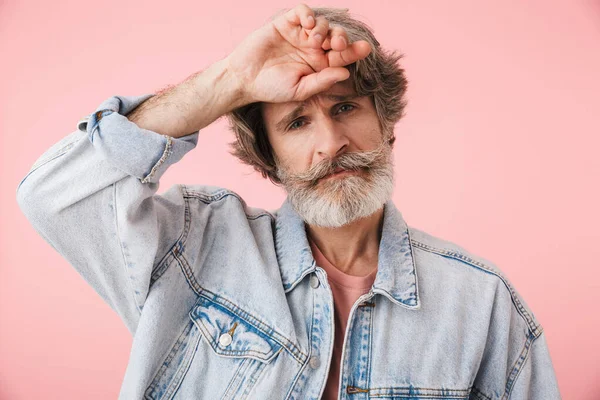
(352, 248)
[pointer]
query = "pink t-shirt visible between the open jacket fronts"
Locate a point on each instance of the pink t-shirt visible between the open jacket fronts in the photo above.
(346, 290)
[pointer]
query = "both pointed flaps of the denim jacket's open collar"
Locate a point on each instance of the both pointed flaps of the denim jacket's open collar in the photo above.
(396, 275)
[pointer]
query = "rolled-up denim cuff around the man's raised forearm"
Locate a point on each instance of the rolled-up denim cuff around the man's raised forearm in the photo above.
(138, 152)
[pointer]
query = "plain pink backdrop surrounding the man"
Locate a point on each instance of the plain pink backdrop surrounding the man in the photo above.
(498, 152)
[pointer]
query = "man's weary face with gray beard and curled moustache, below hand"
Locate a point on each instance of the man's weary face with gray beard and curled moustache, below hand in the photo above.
(332, 158)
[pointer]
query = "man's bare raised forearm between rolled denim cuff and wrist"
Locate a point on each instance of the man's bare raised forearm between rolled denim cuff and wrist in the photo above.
(193, 104)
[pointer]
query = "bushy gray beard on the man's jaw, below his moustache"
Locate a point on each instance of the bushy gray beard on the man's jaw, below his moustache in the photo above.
(340, 201)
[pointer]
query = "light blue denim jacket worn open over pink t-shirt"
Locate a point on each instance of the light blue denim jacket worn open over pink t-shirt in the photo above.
(225, 301)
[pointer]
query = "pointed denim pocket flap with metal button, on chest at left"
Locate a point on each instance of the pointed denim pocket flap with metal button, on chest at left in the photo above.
(231, 336)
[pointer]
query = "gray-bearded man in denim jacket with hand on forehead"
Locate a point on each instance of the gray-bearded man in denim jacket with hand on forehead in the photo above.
(332, 294)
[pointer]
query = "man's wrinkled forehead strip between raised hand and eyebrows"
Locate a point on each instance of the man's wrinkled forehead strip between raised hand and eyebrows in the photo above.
(273, 112)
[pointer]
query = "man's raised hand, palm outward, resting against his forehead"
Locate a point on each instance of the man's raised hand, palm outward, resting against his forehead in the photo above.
(293, 57)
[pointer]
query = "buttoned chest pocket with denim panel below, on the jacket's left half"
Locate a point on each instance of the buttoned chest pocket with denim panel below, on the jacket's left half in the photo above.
(217, 346)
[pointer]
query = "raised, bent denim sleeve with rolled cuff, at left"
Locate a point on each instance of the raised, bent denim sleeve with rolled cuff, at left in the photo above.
(92, 197)
